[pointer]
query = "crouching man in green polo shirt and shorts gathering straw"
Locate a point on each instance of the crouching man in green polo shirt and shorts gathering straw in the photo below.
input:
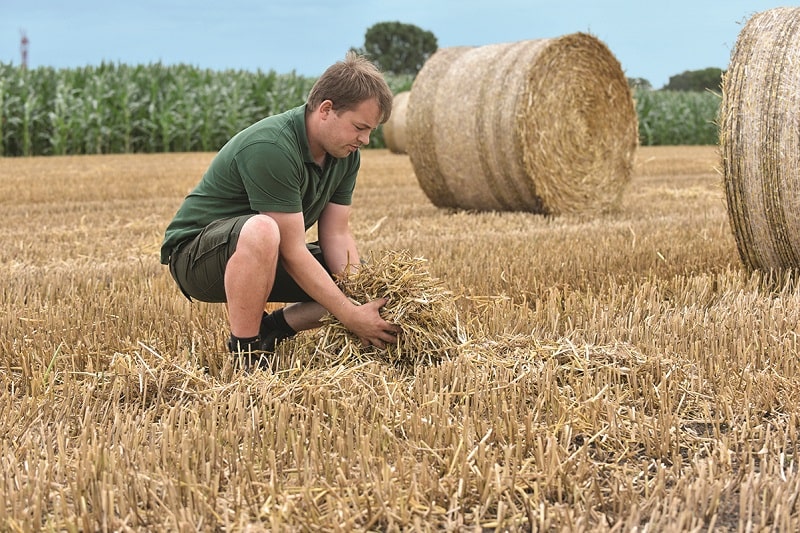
(240, 236)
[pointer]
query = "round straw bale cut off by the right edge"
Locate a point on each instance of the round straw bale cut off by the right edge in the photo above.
(760, 140)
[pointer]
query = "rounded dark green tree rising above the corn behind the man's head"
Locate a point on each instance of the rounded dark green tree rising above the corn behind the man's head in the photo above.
(398, 48)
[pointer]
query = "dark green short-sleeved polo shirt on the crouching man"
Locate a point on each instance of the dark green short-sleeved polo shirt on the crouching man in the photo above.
(265, 167)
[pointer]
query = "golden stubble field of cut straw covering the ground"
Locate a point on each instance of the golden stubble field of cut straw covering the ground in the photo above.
(617, 372)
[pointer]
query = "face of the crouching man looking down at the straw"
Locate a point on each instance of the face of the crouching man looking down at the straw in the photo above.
(347, 131)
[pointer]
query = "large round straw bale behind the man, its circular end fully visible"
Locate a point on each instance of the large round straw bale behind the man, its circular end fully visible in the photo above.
(546, 126)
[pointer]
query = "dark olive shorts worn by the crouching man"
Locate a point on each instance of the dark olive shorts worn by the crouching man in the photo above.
(198, 265)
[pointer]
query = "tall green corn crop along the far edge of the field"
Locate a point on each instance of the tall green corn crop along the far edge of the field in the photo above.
(116, 108)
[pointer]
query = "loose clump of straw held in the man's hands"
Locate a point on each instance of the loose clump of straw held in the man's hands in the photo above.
(418, 303)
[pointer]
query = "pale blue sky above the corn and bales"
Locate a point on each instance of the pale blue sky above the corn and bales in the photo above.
(651, 39)
